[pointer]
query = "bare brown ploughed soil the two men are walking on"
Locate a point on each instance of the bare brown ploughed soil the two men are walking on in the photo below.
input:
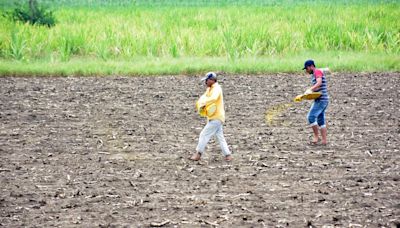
(112, 152)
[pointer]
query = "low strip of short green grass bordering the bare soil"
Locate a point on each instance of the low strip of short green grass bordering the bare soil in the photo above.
(337, 62)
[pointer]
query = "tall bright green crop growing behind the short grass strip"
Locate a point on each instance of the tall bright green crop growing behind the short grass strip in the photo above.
(239, 31)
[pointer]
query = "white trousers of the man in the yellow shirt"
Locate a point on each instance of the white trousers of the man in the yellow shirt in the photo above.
(213, 127)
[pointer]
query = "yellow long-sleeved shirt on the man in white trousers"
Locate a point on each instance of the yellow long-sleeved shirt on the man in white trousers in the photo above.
(214, 94)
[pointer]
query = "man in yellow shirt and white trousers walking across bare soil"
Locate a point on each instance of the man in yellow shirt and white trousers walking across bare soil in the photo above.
(213, 95)
